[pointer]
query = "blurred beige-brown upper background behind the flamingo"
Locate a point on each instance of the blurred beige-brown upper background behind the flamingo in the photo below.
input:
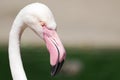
(80, 22)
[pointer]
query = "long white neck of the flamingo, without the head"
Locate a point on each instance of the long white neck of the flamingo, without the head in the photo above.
(16, 65)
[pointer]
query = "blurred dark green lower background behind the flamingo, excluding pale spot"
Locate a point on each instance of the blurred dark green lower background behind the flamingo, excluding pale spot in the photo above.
(99, 64)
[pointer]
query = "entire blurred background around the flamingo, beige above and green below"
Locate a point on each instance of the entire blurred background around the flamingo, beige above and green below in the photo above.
(89, 30)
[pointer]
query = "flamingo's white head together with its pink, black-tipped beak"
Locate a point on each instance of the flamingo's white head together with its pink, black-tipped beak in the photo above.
(42, 22)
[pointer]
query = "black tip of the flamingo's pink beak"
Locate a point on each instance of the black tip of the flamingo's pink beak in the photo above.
(56, 68)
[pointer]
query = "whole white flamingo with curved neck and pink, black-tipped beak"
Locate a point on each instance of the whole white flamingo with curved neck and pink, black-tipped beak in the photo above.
(39, 18)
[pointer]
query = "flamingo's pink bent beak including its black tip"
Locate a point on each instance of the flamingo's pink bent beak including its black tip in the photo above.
(55, 48)
